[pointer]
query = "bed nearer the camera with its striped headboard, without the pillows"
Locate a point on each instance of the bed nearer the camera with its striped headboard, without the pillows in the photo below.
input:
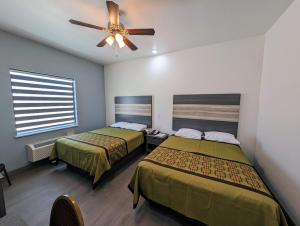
(208, 181)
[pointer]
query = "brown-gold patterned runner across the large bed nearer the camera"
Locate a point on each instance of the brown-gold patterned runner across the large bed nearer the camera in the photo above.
(222, 170)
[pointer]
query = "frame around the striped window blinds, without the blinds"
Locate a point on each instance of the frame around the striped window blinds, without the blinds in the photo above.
(50, 128)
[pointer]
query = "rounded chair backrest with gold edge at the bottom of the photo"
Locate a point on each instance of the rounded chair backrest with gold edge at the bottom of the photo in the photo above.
(66, 212)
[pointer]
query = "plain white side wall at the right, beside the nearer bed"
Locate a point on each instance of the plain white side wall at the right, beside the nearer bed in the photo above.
(278, 133)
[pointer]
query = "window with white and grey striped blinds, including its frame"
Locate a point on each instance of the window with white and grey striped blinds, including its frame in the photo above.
(42, 103)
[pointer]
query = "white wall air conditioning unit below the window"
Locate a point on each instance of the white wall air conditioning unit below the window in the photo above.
(40, 150)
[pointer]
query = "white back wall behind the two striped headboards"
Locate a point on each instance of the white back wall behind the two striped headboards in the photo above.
(231, 67)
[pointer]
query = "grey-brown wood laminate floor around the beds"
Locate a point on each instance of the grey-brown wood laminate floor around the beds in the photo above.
(33, 192)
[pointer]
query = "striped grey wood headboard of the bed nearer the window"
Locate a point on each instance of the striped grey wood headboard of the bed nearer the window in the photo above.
(137, 109)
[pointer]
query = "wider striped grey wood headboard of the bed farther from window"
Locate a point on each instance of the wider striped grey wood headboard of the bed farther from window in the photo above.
(207, 112)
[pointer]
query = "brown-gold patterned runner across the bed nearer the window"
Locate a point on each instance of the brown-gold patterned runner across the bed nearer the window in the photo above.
(115, 147)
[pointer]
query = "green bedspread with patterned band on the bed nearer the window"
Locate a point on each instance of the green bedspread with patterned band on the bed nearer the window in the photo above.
(96, 151)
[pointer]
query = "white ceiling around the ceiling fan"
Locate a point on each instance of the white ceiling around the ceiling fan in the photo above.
(179, 24)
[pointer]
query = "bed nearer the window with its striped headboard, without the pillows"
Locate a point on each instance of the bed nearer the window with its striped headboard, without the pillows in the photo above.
(97, 151)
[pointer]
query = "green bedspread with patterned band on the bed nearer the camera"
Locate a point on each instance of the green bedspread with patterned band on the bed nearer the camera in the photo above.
(207, 181)
